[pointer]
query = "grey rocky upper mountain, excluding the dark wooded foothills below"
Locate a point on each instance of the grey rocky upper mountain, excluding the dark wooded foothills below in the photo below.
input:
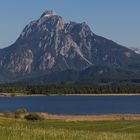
(50, 45)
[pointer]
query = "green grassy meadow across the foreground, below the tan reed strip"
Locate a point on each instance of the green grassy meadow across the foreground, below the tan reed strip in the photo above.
(57, 130)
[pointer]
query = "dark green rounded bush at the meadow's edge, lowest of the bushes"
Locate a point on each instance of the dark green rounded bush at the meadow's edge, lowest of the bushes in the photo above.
(33, 117)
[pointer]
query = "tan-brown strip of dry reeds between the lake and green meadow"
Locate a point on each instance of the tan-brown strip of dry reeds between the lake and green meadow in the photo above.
(84, 118)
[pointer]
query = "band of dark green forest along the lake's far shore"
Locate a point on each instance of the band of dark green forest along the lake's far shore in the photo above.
(62, 89)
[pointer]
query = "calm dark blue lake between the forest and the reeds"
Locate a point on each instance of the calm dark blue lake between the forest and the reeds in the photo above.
(74, 104)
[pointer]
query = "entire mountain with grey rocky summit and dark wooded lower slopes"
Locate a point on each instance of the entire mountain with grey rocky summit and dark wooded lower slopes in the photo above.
(51, 50)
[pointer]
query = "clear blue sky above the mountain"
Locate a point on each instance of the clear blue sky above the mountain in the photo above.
(118, 20)
